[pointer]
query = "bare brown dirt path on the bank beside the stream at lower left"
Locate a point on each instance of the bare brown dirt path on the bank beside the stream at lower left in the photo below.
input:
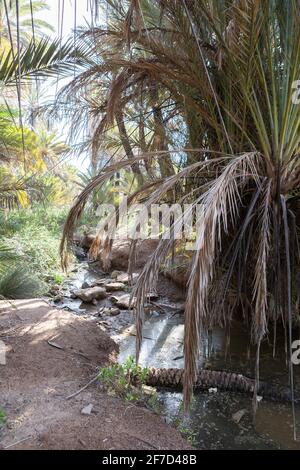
(38, 376)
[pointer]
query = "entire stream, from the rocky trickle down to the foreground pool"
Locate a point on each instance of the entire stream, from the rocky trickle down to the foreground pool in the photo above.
(218, 420)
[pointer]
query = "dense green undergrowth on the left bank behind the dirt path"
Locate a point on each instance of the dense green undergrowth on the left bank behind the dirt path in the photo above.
(33, 238)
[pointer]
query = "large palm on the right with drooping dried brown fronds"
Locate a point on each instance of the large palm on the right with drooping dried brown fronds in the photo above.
(230, 66)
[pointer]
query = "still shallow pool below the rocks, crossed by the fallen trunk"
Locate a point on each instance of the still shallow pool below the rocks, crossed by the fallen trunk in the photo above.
(211, 424)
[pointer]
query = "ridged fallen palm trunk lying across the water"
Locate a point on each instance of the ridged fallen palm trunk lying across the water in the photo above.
(223, 381)
